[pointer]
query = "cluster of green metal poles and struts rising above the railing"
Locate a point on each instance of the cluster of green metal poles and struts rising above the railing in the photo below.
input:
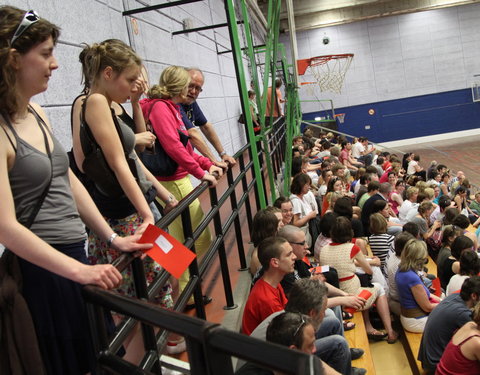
(273, 53)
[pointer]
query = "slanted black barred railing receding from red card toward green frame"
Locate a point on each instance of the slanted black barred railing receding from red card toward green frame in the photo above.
(237, 196)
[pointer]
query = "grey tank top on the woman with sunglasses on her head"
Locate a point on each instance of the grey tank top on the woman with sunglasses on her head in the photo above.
(58, 221)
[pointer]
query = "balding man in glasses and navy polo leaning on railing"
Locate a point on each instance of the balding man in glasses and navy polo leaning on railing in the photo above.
(193, 117)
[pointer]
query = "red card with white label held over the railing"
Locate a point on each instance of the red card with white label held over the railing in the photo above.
(167, 251)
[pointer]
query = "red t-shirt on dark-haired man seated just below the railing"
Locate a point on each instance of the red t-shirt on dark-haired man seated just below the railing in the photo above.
(263, 301)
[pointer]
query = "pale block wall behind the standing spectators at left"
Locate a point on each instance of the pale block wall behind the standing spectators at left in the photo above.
(88, 21)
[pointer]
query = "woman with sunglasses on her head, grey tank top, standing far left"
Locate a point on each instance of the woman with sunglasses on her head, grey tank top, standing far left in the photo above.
(44, 203)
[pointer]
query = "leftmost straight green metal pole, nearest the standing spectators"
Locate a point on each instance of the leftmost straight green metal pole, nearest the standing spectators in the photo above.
(243, 90)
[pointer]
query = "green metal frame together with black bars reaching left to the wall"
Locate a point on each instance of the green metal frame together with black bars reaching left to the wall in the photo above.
(273, 53)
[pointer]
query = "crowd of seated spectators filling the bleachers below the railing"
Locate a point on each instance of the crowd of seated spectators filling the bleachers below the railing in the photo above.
(372, 220)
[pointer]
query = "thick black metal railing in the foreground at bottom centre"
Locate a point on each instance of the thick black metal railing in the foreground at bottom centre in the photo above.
(210, 347)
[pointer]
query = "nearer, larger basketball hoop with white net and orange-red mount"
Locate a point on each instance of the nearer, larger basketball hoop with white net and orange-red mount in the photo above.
(329, 70)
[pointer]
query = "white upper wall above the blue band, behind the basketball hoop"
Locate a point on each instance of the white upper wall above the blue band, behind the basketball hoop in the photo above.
(399, 56)
